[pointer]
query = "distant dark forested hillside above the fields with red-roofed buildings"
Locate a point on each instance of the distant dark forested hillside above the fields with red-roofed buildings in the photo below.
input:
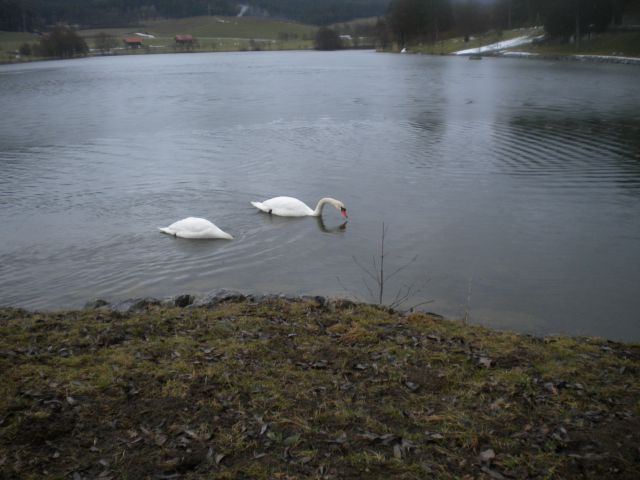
(28, 15)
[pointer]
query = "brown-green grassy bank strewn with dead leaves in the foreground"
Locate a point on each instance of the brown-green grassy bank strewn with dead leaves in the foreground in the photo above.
(302, 389)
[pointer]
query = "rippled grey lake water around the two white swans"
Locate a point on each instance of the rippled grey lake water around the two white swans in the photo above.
(515, 182)
